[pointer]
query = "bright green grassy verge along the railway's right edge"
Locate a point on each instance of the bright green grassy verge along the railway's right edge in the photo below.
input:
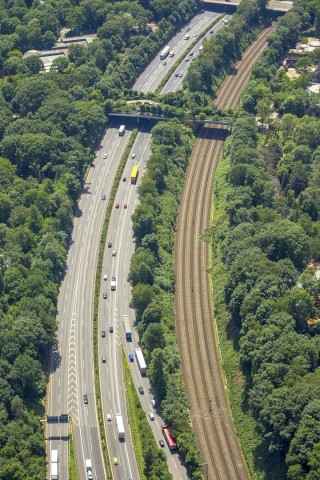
(245, 425)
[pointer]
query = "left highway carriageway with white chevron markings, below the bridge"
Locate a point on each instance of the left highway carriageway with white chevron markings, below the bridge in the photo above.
(72, 363)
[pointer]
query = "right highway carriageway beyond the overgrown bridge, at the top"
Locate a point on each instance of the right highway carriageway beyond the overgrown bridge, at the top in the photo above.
(175, 82)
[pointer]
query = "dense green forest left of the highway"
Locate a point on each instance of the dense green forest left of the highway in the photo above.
(49, 126)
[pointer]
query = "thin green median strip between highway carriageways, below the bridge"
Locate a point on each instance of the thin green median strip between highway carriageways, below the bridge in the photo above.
(103, 237)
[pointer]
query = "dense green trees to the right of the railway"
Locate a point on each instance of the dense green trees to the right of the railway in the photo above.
(270, 249)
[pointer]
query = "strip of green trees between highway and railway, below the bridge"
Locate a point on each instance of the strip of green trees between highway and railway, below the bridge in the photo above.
(152, 277)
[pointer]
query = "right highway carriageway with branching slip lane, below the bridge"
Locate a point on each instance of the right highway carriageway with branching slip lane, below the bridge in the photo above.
(111, 311)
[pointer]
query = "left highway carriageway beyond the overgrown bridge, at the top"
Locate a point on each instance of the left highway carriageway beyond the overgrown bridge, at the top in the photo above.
(157, 69)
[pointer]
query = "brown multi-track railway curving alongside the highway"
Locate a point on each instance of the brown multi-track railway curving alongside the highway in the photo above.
(197, 338)
